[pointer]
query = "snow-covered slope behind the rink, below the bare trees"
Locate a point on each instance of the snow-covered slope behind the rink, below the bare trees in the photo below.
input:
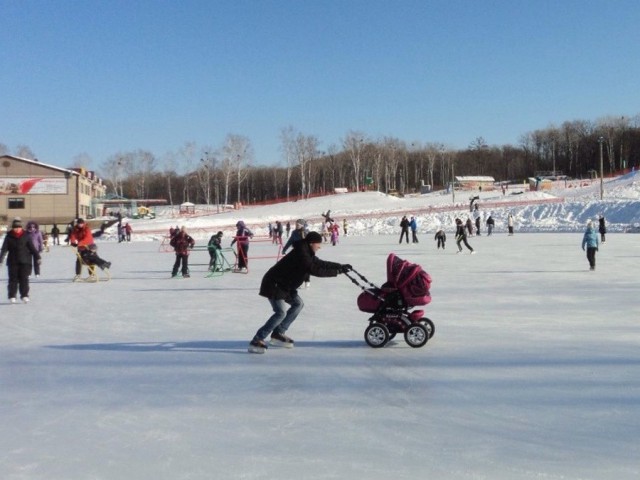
(565, 208)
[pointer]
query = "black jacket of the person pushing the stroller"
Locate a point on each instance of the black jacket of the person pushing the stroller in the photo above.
(283, 279)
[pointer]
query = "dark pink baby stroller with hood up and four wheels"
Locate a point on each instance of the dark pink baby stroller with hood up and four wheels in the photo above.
(407, 286)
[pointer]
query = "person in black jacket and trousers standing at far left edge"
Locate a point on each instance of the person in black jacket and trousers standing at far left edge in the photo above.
(19, 251)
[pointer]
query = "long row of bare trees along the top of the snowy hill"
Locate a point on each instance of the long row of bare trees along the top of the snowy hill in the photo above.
(227, 174)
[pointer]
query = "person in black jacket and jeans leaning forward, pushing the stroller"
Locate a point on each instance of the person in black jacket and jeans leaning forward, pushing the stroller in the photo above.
(279, 285)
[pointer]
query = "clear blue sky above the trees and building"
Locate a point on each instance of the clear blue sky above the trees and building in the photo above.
(102, 77)
